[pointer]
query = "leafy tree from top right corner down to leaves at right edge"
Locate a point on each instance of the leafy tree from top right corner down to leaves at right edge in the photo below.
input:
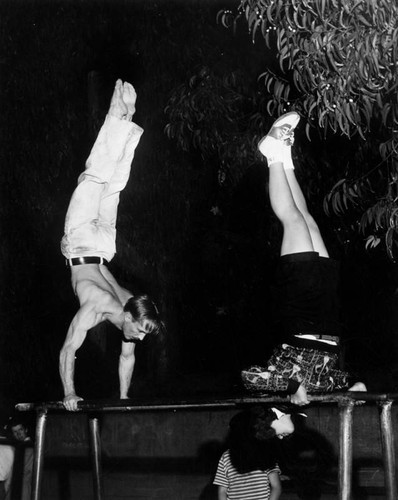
(336, 64)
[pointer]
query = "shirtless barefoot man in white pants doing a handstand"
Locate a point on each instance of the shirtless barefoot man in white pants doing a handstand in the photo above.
(89, 244)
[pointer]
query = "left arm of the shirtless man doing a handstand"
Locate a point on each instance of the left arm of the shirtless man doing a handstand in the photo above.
(85, 318)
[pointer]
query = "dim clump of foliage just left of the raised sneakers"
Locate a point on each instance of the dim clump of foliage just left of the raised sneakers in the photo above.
(220, 117)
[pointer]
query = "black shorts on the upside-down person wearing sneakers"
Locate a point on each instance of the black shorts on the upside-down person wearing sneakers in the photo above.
(307, 294)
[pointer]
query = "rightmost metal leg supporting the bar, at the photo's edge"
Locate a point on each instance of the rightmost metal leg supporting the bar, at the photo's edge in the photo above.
(387, 441)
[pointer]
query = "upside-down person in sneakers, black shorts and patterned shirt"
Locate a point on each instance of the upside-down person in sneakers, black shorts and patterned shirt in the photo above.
(306, 287)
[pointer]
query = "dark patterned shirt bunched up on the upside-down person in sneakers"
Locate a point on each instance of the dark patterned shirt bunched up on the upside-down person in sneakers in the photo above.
(314, 369)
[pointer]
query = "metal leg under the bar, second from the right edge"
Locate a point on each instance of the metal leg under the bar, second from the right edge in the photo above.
(345, 451)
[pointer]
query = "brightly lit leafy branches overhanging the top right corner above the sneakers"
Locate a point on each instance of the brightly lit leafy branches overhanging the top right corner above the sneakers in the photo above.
(337, 59)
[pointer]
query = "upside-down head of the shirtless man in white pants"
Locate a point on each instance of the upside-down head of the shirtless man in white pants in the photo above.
(141, 318)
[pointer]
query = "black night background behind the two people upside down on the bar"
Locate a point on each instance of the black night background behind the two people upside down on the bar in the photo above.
(210, 273)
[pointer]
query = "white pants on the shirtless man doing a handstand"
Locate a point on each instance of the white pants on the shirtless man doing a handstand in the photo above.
(90, 223)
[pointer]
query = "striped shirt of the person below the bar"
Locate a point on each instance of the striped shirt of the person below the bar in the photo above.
(253, 485)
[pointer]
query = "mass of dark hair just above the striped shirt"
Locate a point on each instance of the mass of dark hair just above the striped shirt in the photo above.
(253, 444)
